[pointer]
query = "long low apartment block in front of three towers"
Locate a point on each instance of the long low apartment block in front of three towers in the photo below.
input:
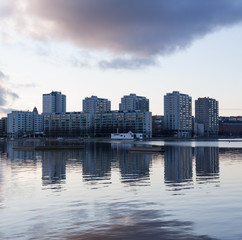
(75, 124)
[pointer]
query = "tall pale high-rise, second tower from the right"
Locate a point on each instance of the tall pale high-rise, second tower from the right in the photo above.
(178, 113)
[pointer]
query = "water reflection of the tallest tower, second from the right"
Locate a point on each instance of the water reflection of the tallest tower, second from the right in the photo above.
(178, 164)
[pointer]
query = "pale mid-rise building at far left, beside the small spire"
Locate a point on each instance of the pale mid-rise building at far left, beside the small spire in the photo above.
(23, 123)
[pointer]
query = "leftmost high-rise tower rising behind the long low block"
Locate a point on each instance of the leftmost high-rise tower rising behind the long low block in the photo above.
(54, 102)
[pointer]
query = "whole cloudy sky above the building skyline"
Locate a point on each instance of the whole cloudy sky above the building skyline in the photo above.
(111, 48)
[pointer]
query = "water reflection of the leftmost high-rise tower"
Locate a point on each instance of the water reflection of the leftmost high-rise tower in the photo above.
(54, 167)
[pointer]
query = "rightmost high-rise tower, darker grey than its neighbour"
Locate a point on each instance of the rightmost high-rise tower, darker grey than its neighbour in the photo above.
(206, 113)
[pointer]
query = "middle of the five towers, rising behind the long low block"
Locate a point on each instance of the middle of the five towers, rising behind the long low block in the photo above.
(132, 103)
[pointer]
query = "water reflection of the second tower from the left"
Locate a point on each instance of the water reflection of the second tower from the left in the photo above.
(97, 162)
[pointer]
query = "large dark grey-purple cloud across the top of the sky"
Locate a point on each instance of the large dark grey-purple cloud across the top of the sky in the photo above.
(138, 27)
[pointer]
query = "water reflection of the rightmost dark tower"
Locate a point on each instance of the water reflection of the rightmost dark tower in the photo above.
(207, 163)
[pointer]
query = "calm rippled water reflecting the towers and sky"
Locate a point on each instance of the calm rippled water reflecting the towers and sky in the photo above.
(191, 191)
